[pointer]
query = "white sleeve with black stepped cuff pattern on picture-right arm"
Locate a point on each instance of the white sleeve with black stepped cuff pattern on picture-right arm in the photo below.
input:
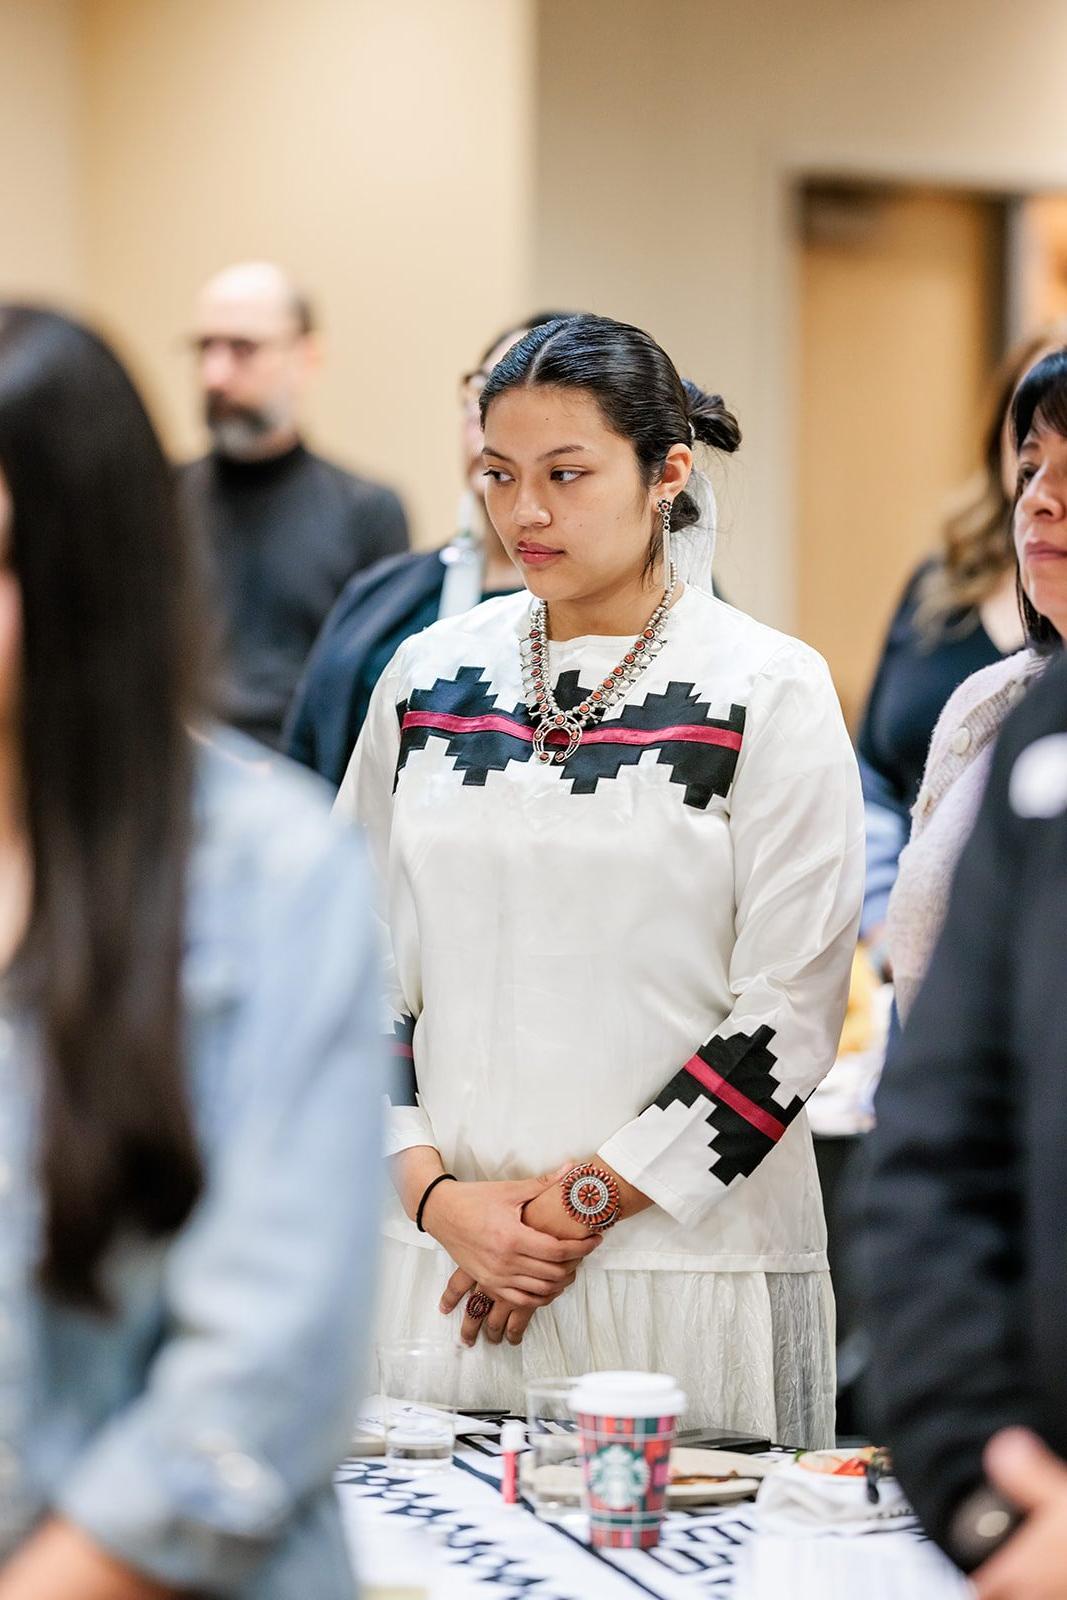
(799, 873)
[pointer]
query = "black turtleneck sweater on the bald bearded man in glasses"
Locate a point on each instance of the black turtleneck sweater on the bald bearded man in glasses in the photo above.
(282, 537)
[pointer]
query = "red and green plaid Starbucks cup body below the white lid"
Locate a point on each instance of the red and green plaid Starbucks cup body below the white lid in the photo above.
(626, 1465)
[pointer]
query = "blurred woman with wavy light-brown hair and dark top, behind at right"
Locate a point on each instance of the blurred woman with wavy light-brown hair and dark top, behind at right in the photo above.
(959, 614)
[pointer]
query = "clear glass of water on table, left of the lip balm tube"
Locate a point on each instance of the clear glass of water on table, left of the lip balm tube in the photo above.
(420, 1386)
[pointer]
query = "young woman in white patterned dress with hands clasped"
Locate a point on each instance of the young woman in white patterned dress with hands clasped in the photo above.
(620, 834)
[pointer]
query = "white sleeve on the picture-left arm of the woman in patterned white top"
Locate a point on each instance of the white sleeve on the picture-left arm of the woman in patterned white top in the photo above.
(367, 798)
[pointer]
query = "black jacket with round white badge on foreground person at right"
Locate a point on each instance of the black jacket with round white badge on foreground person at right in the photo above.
(964, 1258)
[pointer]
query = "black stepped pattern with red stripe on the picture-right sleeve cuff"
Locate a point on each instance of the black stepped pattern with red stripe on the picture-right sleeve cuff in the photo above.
(748, 1066)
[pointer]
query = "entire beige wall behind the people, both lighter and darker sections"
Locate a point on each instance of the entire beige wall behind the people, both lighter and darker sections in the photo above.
(430, 178)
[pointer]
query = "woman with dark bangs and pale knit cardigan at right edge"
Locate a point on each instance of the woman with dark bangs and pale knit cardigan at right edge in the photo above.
(964, 740)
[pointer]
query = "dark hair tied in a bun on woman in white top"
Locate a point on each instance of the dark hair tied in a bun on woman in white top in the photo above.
(636, 385)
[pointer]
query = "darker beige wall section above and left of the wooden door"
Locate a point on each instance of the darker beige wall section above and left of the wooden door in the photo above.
(665, 180)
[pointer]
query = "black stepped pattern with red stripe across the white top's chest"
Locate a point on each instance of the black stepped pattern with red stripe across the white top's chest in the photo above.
(705, 770)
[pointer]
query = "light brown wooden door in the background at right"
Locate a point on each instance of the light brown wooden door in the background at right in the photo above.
(901, 324)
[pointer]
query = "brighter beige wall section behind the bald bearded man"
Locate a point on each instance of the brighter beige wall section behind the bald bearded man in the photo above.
(380, 150)
